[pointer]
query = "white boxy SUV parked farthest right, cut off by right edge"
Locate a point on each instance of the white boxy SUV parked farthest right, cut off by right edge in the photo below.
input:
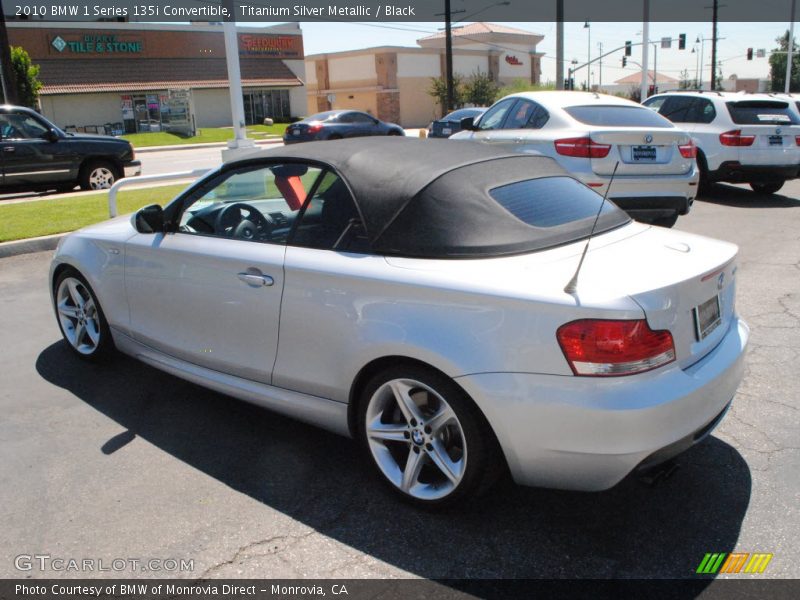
(741, 138)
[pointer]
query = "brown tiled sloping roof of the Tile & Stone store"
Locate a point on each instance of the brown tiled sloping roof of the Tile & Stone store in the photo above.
(120, 75)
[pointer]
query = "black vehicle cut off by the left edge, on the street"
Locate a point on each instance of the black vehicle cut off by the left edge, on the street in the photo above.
(38, 155)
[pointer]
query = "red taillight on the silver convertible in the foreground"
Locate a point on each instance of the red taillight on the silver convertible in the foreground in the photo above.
(602, 348)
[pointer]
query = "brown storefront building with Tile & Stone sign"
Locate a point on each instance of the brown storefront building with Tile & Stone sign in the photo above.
(126, 74)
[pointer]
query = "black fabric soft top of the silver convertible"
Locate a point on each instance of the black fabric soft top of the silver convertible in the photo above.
(431, 197)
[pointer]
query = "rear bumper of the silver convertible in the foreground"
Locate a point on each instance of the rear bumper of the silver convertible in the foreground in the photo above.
(588, 433)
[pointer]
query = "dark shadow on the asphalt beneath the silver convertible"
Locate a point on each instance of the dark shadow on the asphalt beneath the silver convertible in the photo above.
(324, 481)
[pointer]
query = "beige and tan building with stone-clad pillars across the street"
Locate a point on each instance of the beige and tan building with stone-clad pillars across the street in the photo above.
(392, 82)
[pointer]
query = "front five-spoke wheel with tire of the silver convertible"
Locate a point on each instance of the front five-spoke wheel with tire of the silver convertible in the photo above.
(80, 317)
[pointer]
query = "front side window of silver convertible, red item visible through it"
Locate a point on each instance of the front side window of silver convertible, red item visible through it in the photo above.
(257, 204)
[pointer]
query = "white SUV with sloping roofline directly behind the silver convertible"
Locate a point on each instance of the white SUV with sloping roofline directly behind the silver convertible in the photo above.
(589, 135)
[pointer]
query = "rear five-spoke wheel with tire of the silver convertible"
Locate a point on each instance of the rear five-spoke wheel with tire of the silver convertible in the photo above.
(426, 438)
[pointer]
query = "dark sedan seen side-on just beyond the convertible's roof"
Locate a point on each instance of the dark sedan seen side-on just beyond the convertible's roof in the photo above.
(338, 124)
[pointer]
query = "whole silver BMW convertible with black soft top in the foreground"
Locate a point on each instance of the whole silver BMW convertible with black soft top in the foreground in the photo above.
(411, 294)
